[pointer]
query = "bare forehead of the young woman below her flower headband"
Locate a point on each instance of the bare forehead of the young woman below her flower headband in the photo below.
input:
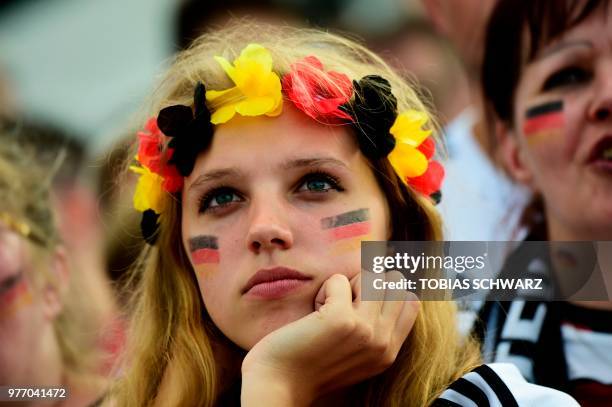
(246, 141)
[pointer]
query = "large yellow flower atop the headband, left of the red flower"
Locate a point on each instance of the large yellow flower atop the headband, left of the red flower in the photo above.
(257, 90)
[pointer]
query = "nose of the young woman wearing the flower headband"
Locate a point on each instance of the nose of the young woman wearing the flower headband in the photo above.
(268, 228)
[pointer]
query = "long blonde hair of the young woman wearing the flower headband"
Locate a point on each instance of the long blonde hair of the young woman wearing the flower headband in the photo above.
(172, 337)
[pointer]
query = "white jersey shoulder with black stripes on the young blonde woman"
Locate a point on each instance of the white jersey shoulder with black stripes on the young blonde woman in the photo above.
(500, 384)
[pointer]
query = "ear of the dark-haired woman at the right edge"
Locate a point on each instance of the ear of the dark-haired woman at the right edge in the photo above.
(513, 154)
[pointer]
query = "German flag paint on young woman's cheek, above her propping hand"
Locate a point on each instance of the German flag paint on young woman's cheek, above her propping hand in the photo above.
(347, 230)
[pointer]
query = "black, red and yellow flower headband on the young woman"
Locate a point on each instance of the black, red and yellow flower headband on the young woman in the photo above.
(170, 143)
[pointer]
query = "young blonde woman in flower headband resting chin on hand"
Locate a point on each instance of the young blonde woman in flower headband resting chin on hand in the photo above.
(272, 153)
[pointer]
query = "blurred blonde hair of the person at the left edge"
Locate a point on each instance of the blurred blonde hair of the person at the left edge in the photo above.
(26, 208)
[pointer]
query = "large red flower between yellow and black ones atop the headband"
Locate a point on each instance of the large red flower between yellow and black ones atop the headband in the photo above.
(316, 92)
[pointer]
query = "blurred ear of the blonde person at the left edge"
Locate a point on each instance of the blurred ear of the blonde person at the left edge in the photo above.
(54, 291)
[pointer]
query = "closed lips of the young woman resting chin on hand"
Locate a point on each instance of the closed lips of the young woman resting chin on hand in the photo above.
(274, 282)
